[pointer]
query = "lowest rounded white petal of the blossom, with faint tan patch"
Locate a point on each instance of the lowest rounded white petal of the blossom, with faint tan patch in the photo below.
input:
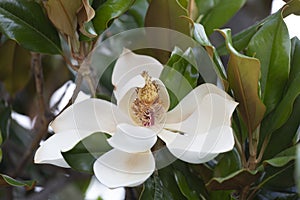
(120, 169)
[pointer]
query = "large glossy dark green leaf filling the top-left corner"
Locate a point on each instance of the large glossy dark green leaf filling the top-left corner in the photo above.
(25, 22)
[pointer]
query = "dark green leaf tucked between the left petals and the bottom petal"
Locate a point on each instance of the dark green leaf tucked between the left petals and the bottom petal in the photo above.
(84, 154)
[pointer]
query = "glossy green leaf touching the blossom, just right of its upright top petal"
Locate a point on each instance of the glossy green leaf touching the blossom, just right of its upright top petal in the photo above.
(180, 75)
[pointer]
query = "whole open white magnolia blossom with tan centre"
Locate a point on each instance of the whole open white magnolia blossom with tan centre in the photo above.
(195, 131)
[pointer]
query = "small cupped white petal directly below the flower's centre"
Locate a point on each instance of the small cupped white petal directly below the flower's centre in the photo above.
(132, 139)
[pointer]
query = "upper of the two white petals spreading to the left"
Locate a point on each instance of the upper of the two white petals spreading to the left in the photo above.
(90, 115)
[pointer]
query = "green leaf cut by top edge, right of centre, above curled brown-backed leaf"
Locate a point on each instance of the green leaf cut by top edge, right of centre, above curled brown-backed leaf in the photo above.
(218, 12)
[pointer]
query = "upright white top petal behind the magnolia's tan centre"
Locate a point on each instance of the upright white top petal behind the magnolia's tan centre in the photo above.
(130, 65)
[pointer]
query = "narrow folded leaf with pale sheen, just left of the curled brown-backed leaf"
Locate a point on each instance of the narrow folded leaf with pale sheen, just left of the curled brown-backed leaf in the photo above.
(201, 37)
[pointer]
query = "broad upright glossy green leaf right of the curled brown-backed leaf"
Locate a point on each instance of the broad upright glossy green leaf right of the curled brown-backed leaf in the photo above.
(271, 45)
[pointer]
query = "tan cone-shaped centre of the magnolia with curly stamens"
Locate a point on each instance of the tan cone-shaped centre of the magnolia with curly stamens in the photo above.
(147, 107)
